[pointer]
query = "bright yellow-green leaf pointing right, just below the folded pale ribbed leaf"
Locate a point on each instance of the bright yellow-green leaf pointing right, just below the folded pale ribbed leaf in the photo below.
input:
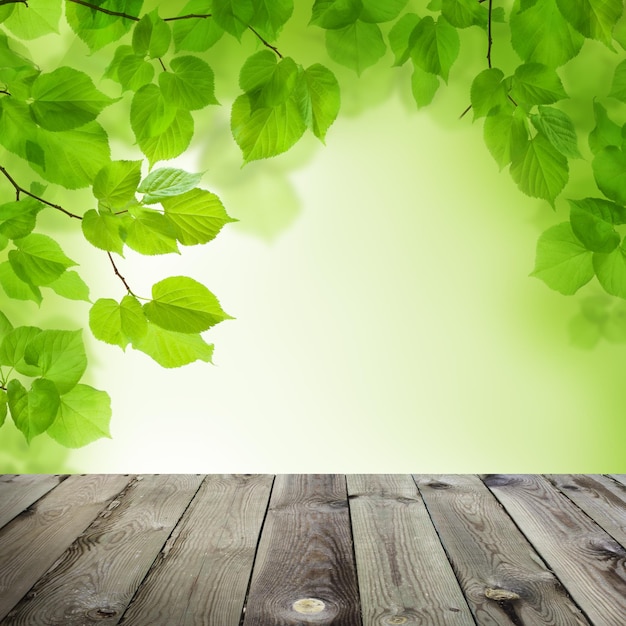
(197, 216)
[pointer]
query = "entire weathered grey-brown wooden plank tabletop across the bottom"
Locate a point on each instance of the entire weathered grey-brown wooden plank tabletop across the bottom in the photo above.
(348, 550)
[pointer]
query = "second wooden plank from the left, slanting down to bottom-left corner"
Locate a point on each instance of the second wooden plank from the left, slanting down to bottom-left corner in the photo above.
(33, 541)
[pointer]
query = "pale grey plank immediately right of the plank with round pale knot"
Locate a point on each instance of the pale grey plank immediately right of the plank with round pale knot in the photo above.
(403, 571)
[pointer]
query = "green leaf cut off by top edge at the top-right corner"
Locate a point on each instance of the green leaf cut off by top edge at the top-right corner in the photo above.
(594, 19)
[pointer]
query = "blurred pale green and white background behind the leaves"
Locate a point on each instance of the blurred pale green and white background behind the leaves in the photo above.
(385, 319)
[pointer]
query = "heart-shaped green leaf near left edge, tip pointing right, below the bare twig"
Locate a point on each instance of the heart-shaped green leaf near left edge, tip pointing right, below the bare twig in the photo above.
(38, 259)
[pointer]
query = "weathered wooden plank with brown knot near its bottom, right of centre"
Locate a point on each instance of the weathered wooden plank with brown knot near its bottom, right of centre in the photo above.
(503, 579)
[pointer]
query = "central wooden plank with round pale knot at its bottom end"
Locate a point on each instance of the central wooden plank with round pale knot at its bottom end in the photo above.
(305, 571)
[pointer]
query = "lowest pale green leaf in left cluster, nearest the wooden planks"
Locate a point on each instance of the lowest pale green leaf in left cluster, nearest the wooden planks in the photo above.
(84, 416)
